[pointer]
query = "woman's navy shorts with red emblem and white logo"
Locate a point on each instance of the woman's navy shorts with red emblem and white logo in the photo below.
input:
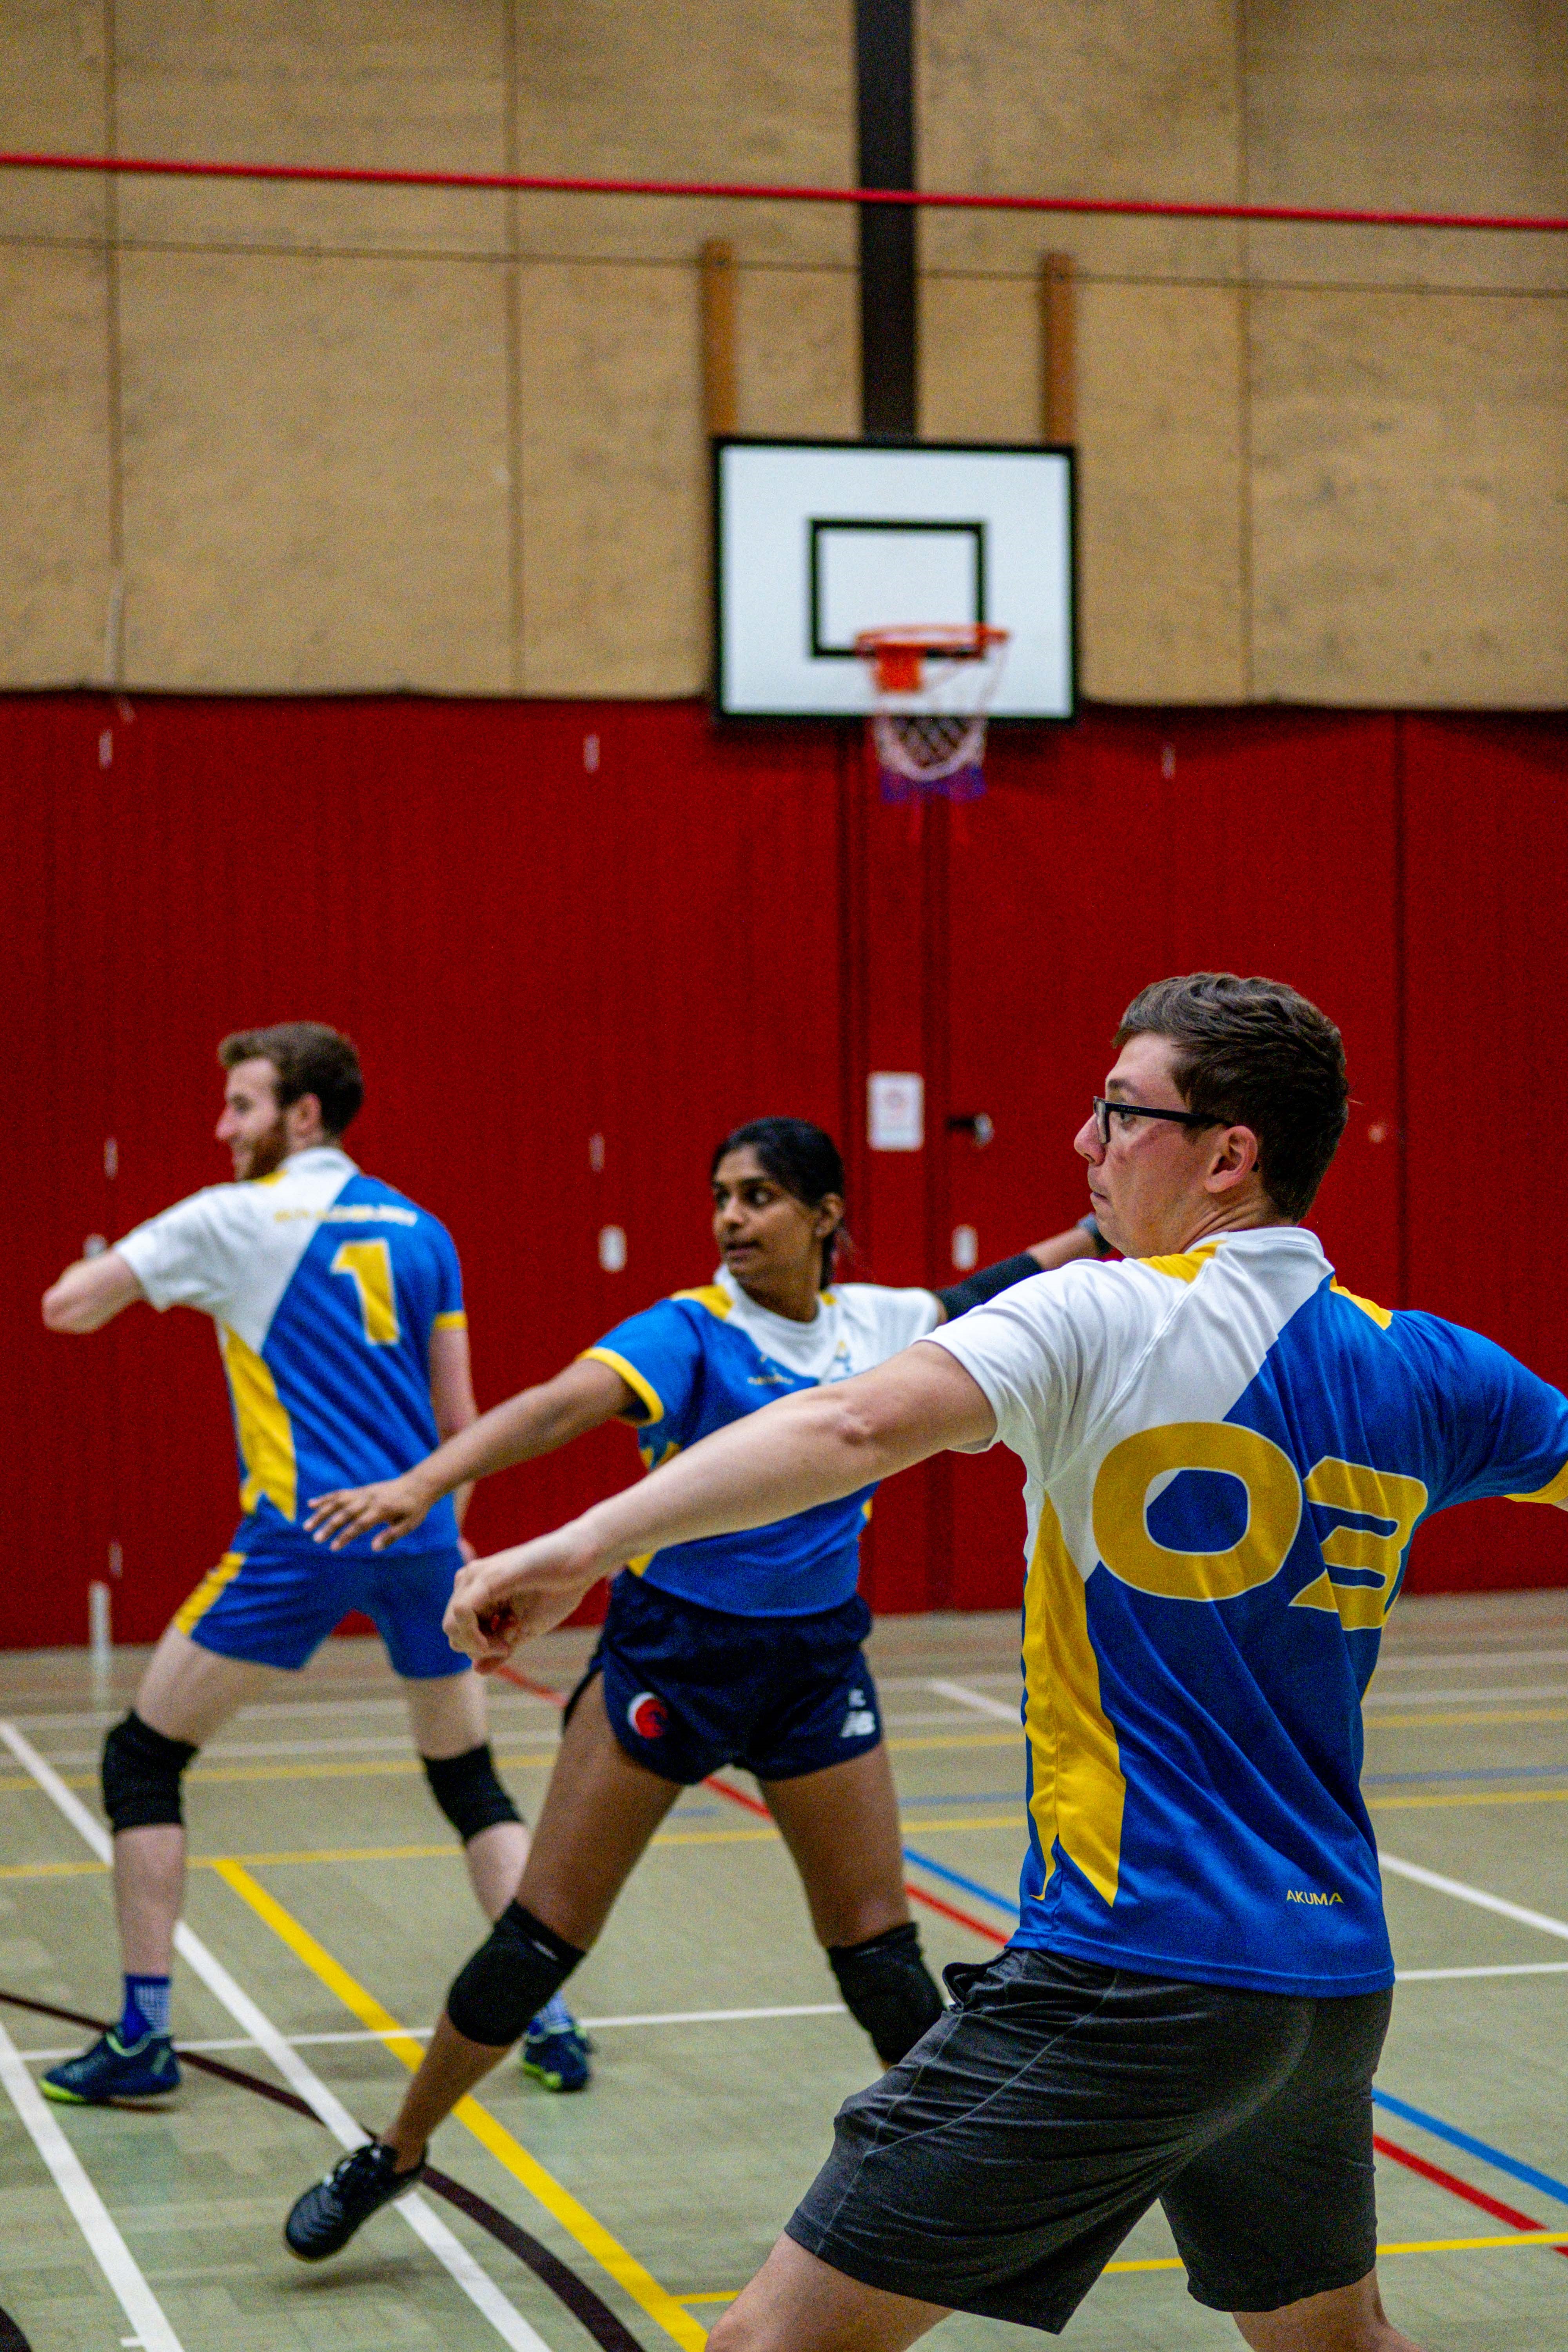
(690, 1690)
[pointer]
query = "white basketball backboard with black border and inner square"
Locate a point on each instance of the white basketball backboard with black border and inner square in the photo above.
(817, 542)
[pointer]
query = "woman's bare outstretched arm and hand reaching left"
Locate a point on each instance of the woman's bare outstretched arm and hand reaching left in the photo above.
(518, 1431)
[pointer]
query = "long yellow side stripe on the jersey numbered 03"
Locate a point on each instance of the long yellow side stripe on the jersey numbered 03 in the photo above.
(1078, 1791)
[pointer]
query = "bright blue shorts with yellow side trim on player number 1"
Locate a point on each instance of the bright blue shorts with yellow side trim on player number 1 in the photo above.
(279, 1603)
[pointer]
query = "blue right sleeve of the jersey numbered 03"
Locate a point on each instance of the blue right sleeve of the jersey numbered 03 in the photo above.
(1503, 1429)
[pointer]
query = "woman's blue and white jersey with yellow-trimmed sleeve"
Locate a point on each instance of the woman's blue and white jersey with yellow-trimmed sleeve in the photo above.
(706, 1358)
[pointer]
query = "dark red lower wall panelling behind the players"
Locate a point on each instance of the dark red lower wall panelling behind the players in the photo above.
(709, 926)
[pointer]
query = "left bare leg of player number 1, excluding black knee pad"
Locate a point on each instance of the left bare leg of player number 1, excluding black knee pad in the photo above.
(187, 1695)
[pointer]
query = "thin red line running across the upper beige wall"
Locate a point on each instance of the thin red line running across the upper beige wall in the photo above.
(772, 194)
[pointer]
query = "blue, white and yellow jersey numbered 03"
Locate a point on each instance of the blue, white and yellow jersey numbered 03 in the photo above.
(1226, 1462)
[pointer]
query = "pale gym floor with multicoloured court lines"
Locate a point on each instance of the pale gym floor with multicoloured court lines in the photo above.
(328, 1911)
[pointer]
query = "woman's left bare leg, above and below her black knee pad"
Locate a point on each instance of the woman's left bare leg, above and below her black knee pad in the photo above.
(598, 1817)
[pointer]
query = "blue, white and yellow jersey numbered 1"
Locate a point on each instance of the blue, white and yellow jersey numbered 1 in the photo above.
(326, 1288)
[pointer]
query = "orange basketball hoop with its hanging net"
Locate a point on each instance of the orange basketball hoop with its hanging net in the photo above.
(932, 693)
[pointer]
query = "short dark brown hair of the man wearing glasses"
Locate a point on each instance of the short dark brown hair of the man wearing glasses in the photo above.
(1254, 1055)
